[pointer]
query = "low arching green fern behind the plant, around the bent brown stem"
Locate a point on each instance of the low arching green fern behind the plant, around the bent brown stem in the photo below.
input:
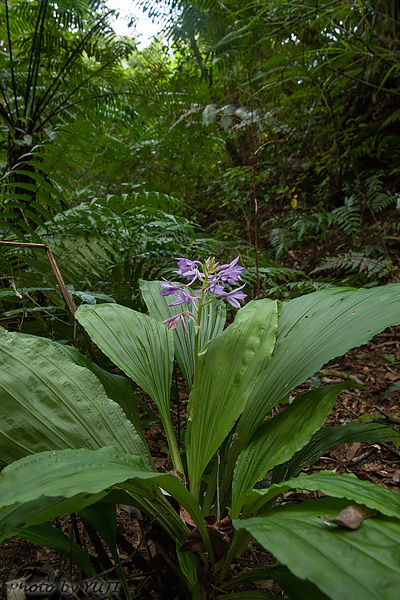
(104, 247)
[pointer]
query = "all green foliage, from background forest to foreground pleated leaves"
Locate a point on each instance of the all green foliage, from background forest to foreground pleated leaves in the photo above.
(266, 128)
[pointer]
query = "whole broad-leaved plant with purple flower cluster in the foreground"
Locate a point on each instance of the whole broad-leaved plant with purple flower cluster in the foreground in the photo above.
(71, 439)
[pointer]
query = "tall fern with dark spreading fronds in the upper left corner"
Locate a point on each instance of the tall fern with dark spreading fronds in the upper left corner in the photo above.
(60, 61)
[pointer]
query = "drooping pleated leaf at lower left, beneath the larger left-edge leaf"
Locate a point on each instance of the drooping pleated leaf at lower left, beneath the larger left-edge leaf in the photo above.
(46, 485)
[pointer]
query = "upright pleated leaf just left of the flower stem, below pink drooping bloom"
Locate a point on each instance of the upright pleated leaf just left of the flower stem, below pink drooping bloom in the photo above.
(137, 344)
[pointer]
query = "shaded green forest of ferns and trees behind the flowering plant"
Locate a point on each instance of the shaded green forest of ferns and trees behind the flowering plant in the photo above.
(266, 128)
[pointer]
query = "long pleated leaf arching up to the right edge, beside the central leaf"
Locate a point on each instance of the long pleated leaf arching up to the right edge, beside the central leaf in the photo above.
(312, 330)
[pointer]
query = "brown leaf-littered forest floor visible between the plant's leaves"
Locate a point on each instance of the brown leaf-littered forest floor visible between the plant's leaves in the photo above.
(374, 365)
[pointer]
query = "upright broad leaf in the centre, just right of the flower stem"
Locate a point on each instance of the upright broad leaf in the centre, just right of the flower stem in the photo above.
(229, 367)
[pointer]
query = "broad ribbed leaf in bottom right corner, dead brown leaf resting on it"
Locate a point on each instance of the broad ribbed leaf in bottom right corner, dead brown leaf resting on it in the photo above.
(362, 565)
